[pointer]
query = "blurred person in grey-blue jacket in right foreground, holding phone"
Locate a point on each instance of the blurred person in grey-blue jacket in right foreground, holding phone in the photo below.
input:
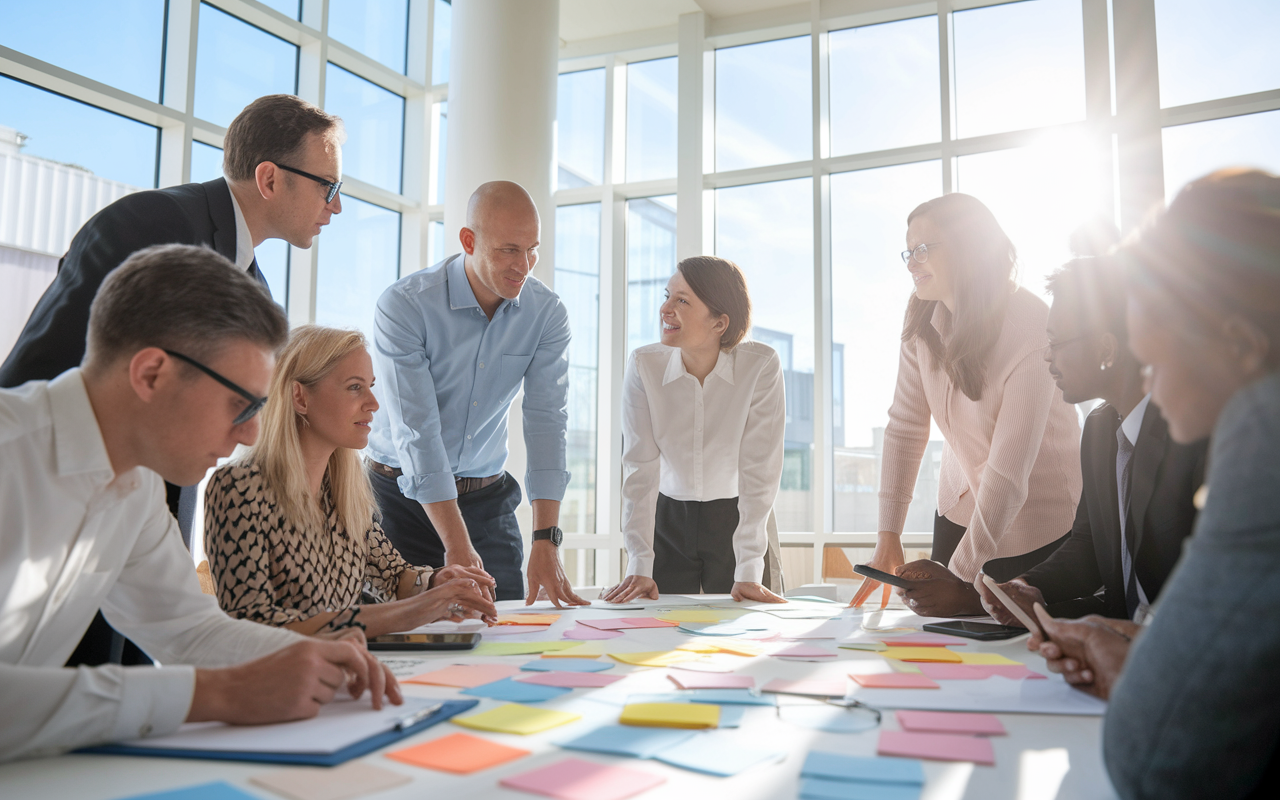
(1195, 707)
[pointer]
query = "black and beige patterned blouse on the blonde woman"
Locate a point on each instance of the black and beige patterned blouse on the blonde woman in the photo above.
(268, 572)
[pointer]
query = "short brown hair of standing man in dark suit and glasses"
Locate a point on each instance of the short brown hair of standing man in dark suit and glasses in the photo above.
(273, 129)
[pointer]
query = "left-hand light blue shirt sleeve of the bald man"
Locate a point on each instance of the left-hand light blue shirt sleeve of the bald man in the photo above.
(408, 394)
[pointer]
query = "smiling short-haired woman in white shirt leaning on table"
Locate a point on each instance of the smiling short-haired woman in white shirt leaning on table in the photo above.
(703, 419)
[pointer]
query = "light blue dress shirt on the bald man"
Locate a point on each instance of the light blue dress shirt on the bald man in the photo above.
(447, 377)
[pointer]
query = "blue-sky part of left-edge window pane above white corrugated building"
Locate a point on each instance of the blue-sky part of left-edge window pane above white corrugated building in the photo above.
(57, 129)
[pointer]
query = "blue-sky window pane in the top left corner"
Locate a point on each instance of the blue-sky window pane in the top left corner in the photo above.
(118, 44)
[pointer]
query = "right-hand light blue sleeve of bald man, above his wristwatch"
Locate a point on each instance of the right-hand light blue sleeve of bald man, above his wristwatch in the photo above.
(546, 410)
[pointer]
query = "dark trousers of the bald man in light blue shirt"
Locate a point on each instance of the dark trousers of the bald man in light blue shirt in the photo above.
(491, 518)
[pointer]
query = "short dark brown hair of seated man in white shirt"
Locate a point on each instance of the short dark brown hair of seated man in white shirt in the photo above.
(180, 298)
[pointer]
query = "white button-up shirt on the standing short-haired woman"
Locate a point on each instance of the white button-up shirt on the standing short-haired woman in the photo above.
(714, 441)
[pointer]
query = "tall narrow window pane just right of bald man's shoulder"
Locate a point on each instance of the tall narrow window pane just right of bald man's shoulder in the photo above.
(578, 282)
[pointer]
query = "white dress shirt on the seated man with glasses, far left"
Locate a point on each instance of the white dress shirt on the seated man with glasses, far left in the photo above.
(75, 538)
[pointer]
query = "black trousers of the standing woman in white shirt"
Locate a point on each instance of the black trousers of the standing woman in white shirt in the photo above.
(693, 546)
